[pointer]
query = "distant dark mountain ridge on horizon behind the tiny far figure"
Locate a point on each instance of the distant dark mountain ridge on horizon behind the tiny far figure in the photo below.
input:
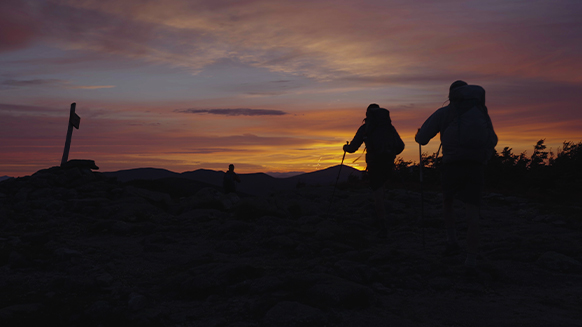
(255, 183)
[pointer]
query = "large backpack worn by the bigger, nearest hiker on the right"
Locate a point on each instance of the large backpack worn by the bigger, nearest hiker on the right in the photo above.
(468, 134)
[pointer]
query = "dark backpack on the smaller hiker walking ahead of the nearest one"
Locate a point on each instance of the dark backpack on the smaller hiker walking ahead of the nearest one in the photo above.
(381, 137)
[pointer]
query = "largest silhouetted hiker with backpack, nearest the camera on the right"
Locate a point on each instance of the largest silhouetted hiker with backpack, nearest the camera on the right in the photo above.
(468, 142)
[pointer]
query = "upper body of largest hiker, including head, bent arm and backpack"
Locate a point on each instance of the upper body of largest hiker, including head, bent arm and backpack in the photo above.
(475, 141)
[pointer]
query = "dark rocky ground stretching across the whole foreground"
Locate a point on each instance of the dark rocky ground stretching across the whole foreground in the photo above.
(80, 249)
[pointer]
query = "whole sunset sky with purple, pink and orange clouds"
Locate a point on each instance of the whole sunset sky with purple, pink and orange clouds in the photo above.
(273, 86)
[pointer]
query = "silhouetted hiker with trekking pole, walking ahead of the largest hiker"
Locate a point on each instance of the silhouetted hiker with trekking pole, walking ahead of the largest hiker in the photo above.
(382, 145)
